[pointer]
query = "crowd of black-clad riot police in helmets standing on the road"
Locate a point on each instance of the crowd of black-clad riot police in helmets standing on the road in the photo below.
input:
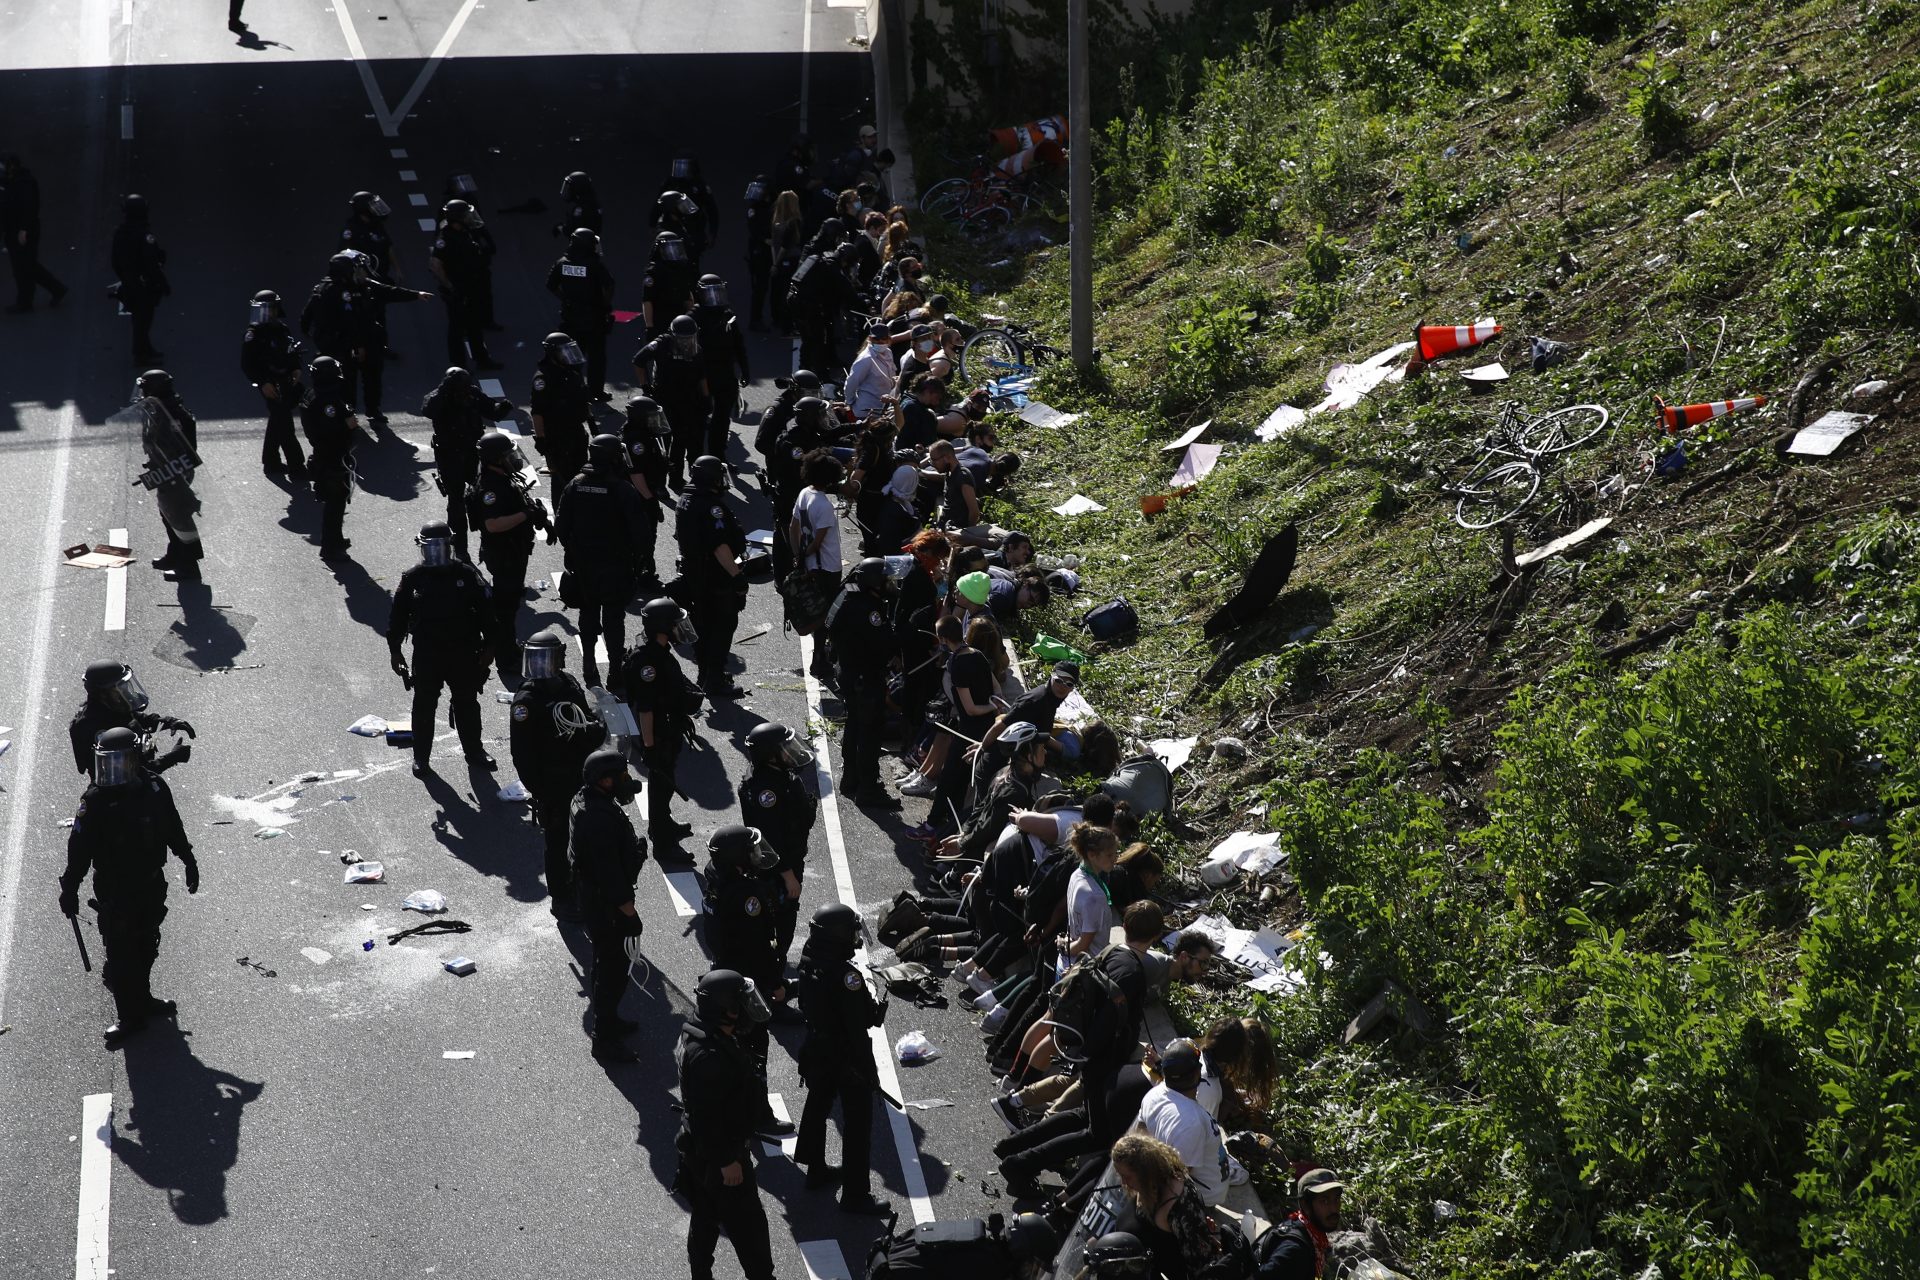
(610, 494)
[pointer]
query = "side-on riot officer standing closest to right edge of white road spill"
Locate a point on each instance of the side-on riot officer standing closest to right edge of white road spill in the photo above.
(606, 859)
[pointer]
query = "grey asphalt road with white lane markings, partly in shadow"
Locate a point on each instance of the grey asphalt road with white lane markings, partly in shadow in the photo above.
(304, 1122)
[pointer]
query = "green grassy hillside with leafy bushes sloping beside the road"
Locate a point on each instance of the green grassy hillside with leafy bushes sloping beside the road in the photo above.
(1641, 824)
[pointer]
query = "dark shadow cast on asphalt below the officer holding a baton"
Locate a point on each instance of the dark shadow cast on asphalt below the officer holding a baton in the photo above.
(183, 1124)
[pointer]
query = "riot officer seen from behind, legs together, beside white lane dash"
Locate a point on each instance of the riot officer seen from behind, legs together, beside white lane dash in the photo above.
(604, 531)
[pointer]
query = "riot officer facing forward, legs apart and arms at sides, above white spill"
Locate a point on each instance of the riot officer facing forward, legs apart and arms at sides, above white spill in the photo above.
(443, 605)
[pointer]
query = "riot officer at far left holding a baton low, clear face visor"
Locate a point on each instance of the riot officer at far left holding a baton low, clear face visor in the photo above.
(122, 834)
